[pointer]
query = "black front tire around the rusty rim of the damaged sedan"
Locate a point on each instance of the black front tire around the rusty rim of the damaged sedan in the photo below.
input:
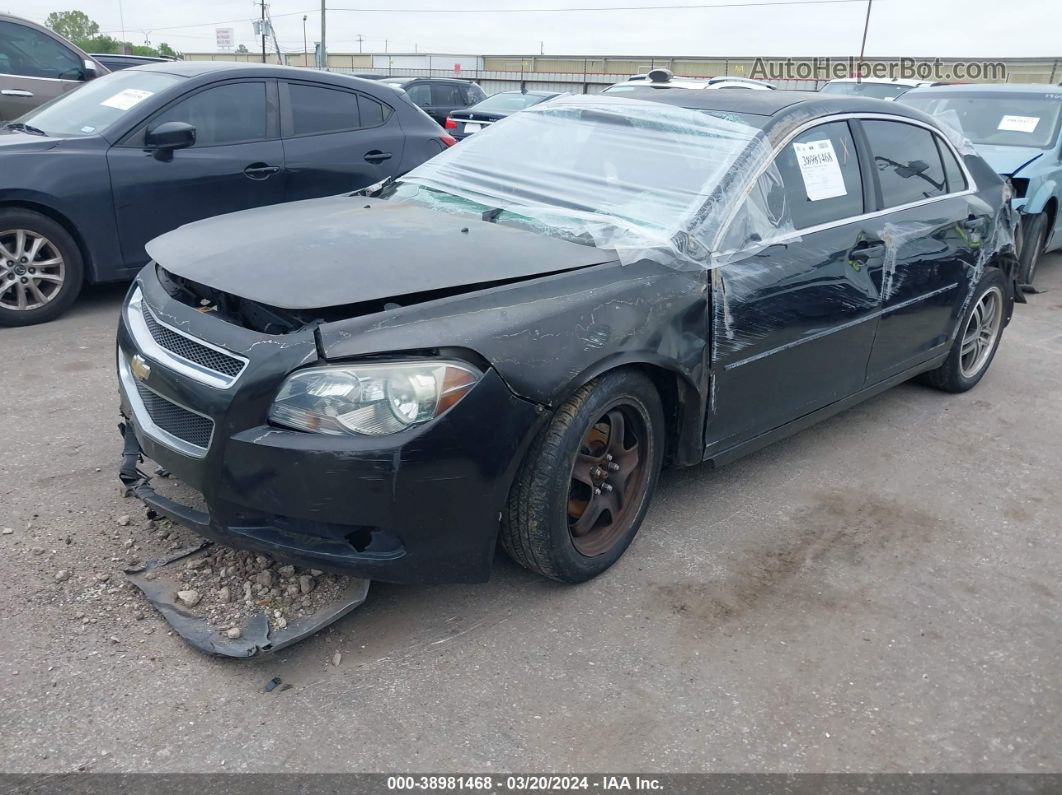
(537, 529)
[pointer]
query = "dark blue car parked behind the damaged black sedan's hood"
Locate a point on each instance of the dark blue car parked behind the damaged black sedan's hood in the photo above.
(89, 179)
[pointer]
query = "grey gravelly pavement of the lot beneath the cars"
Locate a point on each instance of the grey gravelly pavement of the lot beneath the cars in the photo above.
(878, 594)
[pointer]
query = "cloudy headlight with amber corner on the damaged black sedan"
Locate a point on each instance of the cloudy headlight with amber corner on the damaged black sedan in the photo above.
(370, 400)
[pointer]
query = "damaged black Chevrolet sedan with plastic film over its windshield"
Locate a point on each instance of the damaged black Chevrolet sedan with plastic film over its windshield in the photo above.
(512, 341)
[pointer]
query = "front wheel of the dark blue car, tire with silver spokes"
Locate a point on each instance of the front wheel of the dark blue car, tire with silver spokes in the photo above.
(58, 244)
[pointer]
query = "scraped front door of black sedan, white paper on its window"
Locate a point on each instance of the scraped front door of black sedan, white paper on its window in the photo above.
(795, 305)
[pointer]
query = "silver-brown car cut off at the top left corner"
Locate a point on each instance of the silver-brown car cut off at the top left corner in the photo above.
(38, 65)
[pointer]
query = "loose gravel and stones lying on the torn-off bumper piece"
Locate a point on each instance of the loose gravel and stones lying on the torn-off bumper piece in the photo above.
(228, 587)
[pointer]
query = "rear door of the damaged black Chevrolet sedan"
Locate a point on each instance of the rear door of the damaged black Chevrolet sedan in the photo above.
(933, 237)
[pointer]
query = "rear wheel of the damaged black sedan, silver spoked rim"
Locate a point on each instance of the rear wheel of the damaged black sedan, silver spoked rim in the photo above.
(980, 335)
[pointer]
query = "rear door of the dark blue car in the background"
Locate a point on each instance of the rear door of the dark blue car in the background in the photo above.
(336, 141)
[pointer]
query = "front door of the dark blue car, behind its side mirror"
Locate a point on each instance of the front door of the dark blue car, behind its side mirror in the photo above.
(237, 164)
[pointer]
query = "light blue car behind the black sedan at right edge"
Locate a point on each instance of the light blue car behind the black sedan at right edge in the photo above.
(1016, 128)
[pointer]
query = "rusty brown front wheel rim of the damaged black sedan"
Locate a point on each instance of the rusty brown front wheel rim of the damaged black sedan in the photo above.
(608, 480)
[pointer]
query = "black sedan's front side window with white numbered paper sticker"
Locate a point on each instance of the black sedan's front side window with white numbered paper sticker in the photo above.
(820, 176)
